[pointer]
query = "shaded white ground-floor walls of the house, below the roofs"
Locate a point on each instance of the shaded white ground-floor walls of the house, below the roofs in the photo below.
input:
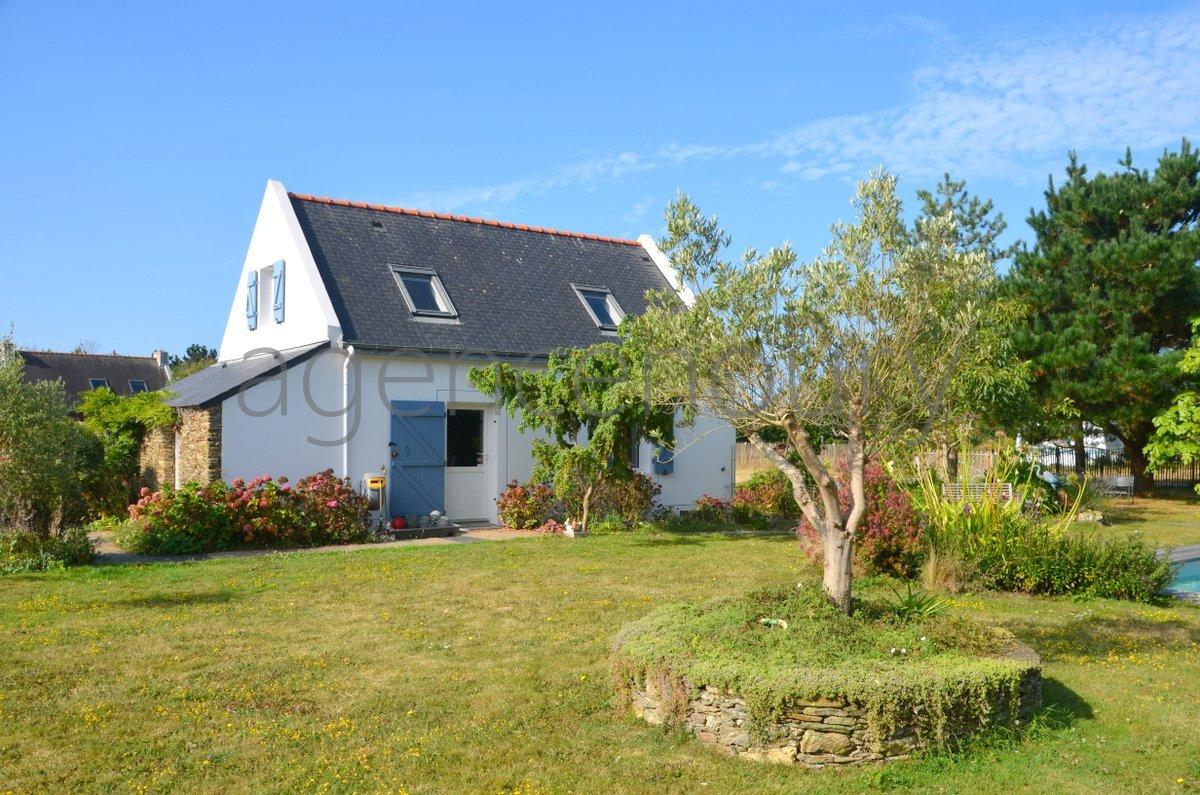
(261, 438)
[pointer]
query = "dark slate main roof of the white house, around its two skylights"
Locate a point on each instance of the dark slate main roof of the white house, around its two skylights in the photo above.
(511, 284)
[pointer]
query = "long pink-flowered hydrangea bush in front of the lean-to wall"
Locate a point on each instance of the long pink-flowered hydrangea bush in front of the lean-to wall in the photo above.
(262, 513)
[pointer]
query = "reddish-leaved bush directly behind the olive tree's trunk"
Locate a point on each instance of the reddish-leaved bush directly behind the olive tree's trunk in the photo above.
(890, 540)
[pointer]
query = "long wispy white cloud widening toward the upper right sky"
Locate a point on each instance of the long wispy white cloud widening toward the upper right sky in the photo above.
(1009, 110)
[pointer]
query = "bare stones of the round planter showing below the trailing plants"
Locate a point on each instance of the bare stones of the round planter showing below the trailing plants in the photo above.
(825, 732)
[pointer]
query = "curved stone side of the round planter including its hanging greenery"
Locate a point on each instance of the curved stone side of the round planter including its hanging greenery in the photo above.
(835, 728)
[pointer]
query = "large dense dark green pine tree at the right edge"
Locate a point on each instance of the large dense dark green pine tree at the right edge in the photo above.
(1111, 288)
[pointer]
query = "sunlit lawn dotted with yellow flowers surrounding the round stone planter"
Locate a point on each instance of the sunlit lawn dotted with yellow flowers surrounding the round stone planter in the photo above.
(483, 668)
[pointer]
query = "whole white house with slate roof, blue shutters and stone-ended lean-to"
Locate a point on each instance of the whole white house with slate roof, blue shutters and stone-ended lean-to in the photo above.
(352, 332)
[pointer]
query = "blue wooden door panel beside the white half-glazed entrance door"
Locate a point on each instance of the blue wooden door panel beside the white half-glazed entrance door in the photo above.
(418, 457)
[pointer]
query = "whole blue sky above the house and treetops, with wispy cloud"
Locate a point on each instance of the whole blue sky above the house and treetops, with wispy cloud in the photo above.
(136, 139)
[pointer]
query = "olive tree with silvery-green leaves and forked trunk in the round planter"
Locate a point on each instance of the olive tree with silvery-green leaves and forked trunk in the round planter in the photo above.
(859, 345)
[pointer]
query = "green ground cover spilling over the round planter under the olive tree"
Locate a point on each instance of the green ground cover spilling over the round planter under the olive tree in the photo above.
(789, 645)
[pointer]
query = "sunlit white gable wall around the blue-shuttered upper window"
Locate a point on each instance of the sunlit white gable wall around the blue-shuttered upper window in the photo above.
(308, 315)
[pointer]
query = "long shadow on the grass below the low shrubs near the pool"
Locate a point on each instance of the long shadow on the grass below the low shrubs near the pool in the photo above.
(1091, 636)
